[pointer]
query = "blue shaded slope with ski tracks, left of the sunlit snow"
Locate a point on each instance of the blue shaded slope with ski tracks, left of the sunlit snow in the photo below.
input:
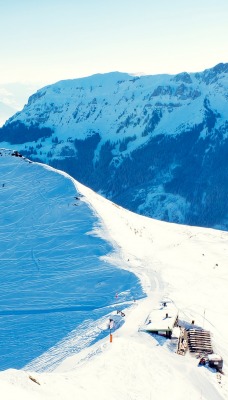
(55, 275)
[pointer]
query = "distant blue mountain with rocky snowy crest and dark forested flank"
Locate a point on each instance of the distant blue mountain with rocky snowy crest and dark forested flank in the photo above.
(157, 145)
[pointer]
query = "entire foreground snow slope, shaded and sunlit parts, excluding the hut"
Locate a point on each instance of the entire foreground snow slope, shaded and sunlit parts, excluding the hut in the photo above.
(63, 248)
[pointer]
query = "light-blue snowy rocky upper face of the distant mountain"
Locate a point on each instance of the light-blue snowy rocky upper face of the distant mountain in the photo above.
(117, 105)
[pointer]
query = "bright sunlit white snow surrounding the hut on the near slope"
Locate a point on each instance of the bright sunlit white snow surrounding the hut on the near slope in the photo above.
(185, 265)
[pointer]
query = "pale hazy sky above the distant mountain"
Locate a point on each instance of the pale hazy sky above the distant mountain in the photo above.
(49, 40)
